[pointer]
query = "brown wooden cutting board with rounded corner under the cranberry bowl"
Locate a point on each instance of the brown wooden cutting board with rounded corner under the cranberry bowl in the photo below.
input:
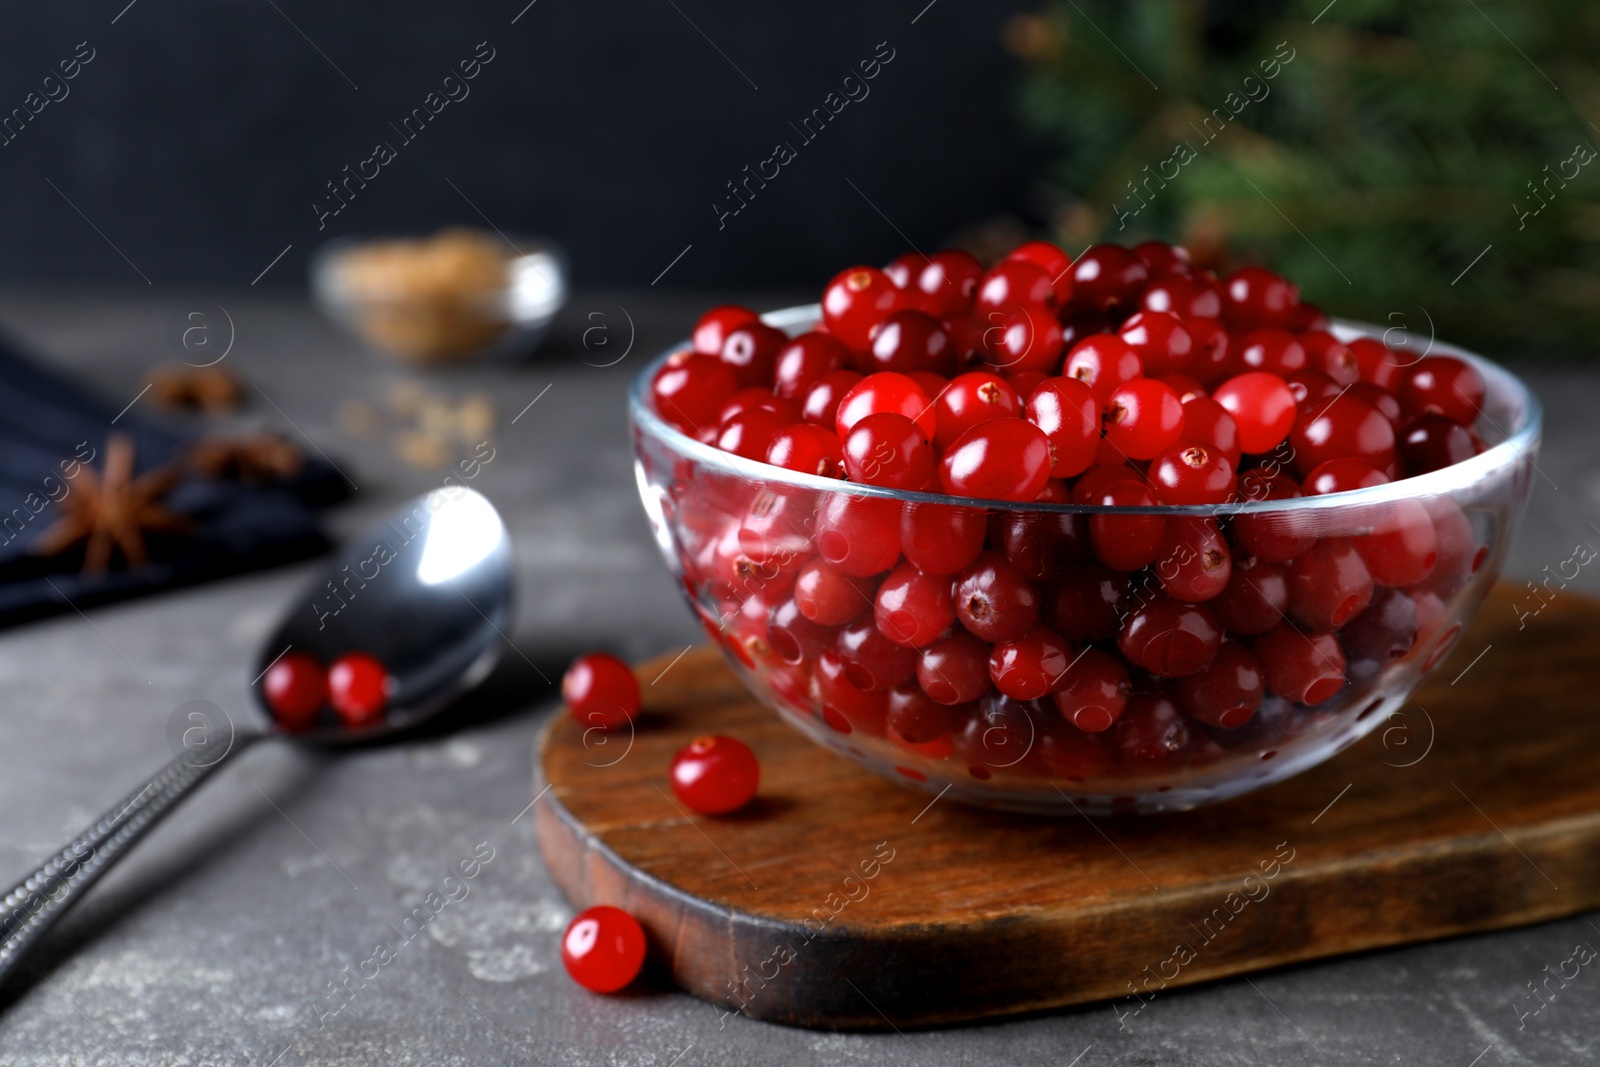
(839, 900)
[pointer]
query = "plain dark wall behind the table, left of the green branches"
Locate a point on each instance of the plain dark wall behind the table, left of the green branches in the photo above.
(204, 130)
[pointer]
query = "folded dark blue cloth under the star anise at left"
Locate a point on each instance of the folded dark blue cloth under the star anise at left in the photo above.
(47, 418)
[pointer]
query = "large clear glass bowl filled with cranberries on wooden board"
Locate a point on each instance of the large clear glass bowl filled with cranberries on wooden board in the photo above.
(738, 532)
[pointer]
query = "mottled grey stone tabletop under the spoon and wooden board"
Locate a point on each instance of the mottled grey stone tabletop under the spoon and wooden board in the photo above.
(222, 938)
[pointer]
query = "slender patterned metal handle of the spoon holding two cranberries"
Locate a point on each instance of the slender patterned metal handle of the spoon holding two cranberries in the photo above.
(36, 903)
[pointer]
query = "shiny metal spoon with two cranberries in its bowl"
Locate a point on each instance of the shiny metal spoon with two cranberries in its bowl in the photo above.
(428, 591)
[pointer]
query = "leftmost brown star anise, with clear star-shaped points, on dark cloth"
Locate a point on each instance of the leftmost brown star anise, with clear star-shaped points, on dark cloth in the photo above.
(111, 511)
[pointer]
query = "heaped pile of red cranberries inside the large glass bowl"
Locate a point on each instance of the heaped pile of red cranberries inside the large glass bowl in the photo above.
(1049, 644)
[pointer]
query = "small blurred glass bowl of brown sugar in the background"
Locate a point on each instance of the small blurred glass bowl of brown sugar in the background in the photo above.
(460, 295)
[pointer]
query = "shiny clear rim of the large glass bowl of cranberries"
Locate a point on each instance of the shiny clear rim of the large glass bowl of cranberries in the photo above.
(1500, 385)
